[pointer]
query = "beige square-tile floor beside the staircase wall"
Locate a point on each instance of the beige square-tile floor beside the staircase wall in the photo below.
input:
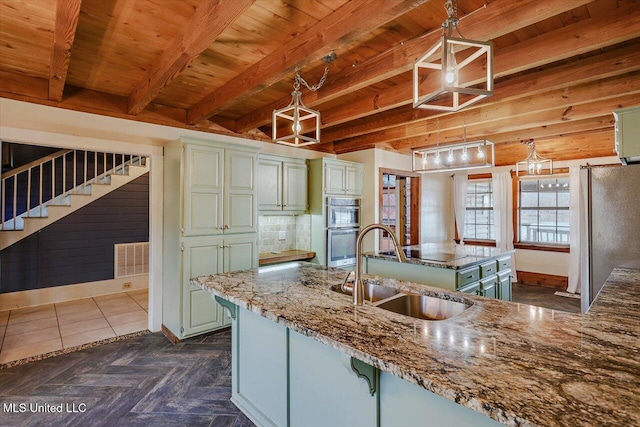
(32, 331)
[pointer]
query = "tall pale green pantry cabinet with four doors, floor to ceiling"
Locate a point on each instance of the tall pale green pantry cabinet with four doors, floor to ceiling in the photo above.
(210, 227)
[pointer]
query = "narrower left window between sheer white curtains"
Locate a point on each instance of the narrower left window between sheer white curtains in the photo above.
(478, 219)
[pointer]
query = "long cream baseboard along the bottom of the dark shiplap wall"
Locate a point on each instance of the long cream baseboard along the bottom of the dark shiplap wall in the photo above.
(35, 297)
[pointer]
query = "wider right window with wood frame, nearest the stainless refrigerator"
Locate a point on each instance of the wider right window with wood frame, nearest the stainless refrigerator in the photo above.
(544, 211)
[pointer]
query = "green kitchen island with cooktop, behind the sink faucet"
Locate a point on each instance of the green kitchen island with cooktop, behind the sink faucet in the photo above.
(478, 270)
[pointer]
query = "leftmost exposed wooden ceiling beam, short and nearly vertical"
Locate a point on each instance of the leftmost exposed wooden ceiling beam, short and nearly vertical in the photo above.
(67, 13)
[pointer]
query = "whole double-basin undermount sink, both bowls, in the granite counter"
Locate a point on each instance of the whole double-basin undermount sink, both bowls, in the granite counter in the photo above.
(417, 306)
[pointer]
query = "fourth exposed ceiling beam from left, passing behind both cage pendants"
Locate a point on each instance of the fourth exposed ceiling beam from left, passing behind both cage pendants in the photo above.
(493, 20)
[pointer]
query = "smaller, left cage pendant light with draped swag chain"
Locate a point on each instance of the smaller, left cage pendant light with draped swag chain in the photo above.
(297, 125)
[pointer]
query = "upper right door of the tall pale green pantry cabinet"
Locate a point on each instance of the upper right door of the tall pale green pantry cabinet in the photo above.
(240, 204)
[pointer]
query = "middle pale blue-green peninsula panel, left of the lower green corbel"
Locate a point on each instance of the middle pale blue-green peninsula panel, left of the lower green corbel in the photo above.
(323, 388)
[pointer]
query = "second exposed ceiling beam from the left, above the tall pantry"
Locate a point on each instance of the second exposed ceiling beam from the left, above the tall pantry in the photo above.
(208, 21)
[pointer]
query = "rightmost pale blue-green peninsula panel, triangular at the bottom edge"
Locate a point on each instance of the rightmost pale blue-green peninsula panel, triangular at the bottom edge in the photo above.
(403, 404)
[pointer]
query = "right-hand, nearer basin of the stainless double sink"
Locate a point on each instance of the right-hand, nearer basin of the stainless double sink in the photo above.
(423, 307)
